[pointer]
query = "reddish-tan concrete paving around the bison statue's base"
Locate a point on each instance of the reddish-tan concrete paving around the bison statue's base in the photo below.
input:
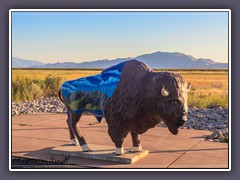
(34, 135)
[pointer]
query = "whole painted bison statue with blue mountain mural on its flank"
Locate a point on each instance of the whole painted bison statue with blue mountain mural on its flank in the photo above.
(132, 98)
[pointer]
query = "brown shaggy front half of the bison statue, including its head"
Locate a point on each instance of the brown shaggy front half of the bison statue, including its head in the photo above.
(138, 105)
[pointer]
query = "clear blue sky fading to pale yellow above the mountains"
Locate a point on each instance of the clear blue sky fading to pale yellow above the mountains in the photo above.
(86, 36)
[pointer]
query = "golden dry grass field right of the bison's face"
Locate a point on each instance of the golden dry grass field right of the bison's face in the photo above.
(208, 88)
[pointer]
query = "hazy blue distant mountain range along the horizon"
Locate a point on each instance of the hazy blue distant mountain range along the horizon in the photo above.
(165, 60)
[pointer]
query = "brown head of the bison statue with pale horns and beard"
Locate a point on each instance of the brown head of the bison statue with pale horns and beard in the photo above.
(171, 99)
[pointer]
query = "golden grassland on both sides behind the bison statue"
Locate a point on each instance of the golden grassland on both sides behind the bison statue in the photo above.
(209, 88)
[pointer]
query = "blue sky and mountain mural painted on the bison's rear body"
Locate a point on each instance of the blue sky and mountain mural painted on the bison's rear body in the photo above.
(92, 93)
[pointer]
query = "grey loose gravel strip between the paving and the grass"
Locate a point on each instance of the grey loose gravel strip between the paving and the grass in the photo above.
(214, 119)
